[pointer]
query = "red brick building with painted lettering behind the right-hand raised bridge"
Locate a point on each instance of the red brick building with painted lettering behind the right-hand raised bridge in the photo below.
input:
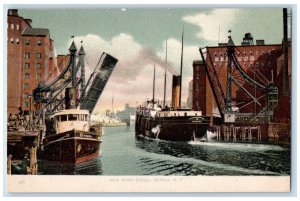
(262, 62)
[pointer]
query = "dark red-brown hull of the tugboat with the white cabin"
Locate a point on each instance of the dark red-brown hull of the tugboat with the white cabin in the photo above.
(71, 147)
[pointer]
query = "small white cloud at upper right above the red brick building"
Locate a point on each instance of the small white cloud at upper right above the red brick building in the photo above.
(210, 23)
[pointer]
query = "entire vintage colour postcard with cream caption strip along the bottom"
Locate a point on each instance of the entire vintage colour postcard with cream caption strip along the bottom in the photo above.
(149, 99)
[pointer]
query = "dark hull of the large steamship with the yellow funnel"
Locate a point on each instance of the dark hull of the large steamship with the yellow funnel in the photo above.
(172, 129)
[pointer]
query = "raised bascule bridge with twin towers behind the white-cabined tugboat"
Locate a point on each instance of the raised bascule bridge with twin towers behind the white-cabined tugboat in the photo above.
(68, 90)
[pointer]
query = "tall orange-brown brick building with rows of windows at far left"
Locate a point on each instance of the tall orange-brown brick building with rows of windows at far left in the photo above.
(30, 59)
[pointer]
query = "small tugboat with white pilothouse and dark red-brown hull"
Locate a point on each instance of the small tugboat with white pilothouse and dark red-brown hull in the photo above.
(74, 141)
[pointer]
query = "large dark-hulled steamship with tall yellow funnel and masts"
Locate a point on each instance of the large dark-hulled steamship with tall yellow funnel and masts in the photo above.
(175, 123)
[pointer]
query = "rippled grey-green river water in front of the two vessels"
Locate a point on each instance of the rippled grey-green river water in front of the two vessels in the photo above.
(123, 153)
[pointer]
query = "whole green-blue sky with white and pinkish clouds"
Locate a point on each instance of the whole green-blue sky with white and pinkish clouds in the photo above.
(137, 38)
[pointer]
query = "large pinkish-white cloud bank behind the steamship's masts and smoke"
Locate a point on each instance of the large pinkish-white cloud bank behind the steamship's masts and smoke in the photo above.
(132, 78)
